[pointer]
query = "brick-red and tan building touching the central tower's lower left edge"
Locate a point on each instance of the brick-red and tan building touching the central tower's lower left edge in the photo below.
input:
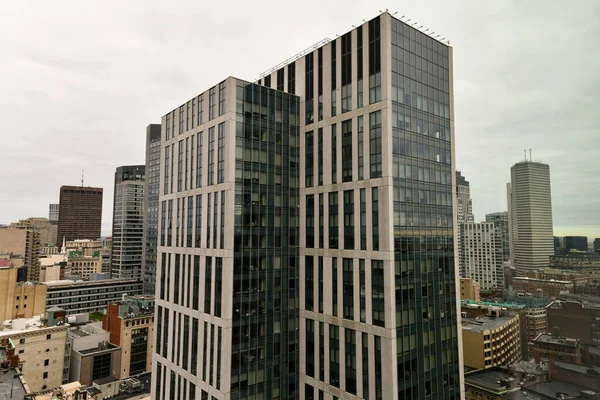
(131, 326)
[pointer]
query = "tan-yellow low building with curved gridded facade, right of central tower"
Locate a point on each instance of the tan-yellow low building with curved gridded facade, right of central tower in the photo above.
(492, 339)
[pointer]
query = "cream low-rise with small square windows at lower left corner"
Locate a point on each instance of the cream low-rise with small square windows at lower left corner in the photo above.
(40, 348)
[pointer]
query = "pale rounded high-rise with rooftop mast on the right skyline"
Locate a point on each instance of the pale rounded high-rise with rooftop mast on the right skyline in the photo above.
(530, 216)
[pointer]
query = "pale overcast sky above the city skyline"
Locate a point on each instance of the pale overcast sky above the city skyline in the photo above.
(80, 80)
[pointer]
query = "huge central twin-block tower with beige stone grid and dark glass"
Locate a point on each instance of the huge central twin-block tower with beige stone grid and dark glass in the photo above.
(306, 245)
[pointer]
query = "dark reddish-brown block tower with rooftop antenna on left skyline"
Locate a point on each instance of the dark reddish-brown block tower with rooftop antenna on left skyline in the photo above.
(80, 213)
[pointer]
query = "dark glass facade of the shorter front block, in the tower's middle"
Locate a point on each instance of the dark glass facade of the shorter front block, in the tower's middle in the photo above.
(265, 295)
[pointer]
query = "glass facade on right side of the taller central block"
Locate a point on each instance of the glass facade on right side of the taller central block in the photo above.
(427, 348)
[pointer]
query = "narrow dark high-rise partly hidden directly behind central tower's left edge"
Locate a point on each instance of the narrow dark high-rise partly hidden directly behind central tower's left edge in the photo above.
(151, 193)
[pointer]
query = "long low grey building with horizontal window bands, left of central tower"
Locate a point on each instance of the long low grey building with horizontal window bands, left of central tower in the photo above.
(89, 296)
